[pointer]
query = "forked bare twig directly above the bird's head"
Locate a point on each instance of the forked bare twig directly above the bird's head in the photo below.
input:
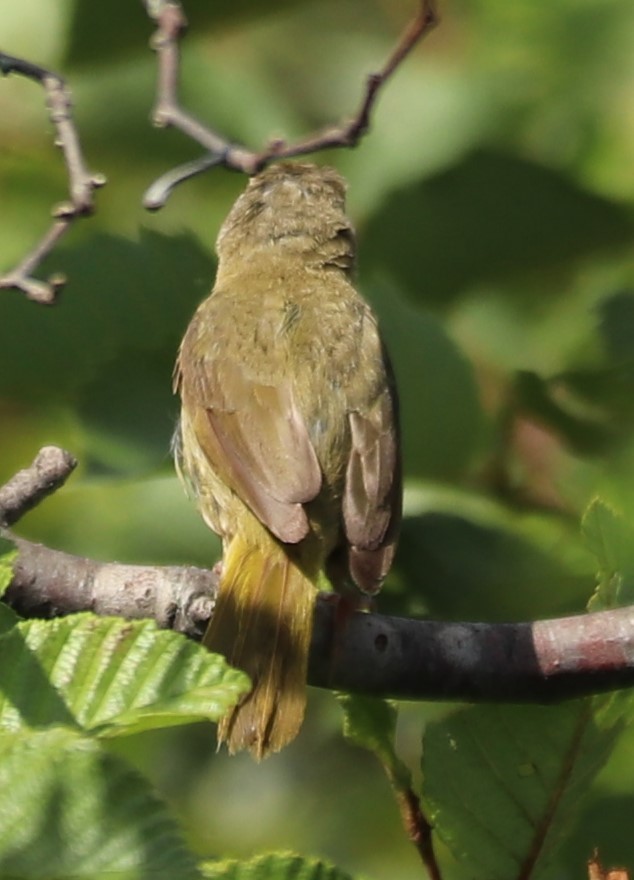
(171, 22)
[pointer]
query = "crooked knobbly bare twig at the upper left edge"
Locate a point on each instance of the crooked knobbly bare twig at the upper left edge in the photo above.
(81, 182)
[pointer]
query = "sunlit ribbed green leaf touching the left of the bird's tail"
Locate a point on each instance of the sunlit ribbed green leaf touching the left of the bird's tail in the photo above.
(110, 676)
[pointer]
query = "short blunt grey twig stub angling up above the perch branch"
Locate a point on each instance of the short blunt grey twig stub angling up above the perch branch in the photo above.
(50, 470)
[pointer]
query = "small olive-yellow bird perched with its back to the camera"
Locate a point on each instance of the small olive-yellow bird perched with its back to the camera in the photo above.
(288, 436)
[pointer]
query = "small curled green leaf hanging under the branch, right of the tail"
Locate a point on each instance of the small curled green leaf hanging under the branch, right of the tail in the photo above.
(370, 723)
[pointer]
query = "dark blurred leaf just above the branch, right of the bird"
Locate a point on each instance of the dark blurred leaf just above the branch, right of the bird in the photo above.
(492, 564)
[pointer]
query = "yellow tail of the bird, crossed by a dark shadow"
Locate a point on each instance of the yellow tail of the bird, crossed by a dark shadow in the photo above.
(262, 624)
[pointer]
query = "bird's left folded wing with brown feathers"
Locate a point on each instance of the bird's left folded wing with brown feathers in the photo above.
(254, 437)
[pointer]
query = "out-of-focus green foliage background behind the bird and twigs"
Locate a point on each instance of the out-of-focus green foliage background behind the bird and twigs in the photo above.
(494, 199)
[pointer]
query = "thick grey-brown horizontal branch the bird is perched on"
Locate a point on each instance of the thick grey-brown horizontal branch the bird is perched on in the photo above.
(541, 662)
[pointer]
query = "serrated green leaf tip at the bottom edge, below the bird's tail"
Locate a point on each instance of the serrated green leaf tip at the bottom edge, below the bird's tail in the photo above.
(273, 866)
